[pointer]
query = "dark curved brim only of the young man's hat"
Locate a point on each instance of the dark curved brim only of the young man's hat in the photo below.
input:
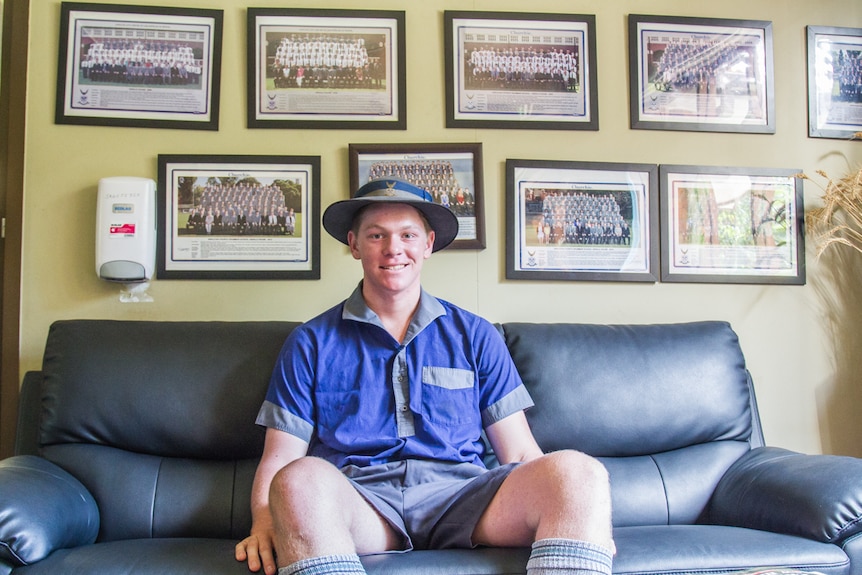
(338, 217)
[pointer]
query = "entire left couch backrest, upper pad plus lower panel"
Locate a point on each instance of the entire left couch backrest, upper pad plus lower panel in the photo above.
(156, 419)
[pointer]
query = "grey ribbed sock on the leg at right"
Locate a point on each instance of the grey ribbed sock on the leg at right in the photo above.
(559, 556)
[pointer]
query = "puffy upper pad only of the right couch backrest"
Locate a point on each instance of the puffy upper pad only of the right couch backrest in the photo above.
(629, 390)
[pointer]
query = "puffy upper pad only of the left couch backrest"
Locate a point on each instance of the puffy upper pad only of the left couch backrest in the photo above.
(175, 389)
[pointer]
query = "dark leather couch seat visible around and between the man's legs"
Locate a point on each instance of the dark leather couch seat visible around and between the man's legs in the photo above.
(654, 550)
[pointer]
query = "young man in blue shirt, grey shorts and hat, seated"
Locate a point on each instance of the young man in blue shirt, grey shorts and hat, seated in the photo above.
(374, 418)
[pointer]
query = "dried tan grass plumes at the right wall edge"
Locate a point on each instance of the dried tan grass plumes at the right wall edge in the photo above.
(839, 220)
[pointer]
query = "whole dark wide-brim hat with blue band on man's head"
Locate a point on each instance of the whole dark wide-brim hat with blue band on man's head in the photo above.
(338, 217)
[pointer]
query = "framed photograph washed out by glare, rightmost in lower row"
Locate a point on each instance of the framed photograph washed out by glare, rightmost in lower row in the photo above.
(731, 225)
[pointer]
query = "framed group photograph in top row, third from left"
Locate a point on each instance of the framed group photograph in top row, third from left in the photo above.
(520, 70)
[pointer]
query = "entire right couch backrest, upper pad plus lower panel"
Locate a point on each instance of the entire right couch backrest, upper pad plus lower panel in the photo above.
(667, 407)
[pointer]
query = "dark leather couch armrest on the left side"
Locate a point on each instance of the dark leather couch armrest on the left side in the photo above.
(42, 508)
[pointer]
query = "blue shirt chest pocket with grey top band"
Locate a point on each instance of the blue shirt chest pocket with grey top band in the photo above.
(449, 395)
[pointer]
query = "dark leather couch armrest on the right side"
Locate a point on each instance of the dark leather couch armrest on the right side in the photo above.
(814, 496)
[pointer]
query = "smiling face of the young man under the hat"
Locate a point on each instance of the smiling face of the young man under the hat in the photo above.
(392, 241)
